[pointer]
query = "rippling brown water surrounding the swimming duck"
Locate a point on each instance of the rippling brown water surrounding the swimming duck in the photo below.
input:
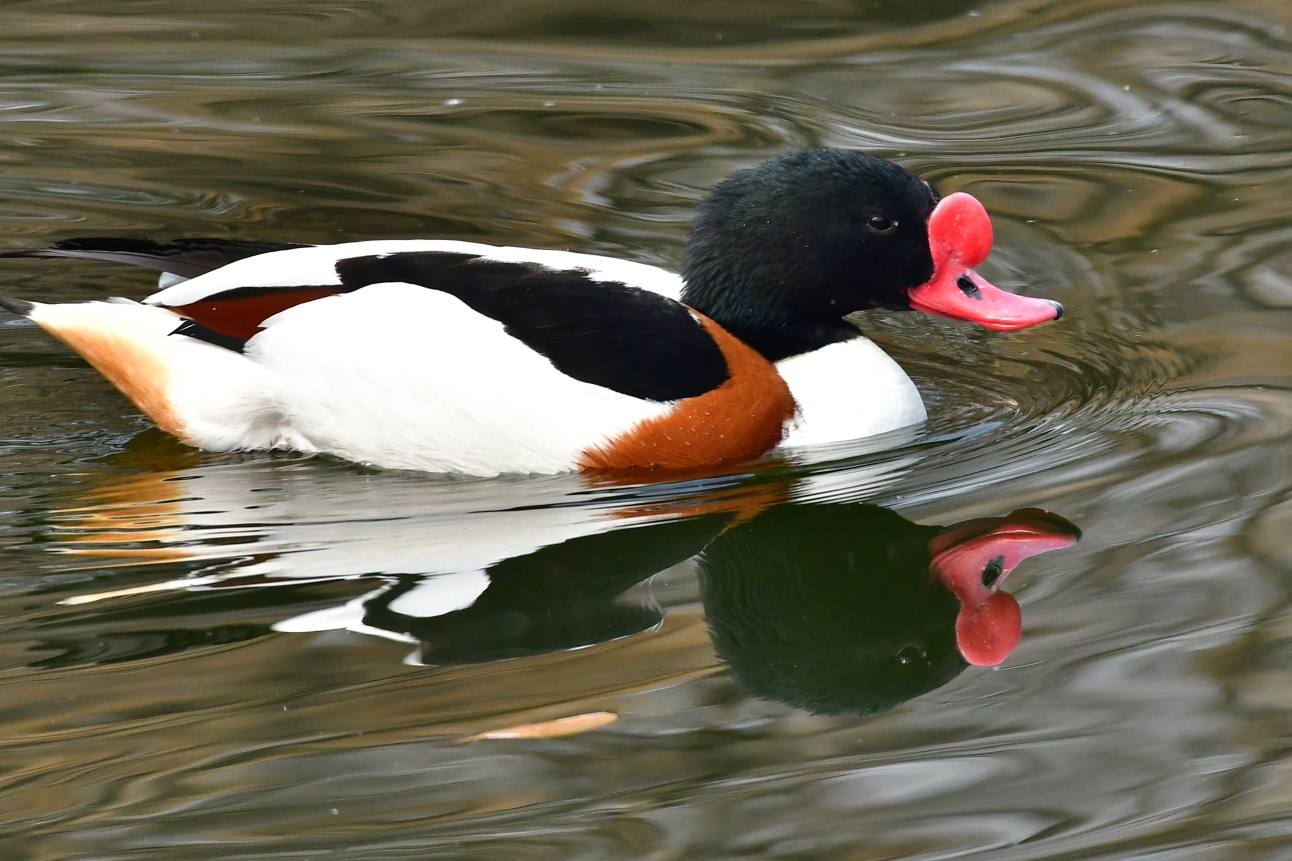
(1136, 161)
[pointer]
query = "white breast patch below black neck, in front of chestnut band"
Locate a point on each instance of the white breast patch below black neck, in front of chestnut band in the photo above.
(848, 391)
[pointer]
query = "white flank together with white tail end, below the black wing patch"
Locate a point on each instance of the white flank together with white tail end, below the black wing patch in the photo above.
(395, 376)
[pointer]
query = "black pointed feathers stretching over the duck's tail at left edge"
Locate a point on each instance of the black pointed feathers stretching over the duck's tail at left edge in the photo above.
(184, 258)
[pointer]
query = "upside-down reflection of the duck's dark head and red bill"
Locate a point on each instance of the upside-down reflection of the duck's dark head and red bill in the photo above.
(852, 608)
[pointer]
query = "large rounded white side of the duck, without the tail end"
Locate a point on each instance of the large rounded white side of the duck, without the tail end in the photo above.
(404, 377)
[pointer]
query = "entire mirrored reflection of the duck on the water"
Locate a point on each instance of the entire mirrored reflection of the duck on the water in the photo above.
(833, 607)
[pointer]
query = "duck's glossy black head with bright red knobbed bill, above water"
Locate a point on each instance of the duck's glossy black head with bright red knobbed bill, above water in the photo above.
(784, 251)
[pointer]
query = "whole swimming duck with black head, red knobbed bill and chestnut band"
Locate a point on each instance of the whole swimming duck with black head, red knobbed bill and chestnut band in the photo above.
(459, 357)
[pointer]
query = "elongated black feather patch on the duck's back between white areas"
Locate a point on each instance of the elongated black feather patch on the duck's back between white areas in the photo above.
(608, 334)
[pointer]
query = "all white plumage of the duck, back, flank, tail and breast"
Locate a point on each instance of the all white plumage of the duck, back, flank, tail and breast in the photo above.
(399, 376)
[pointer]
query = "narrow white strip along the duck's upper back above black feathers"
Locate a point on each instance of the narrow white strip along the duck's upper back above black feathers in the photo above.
(316, 267)
